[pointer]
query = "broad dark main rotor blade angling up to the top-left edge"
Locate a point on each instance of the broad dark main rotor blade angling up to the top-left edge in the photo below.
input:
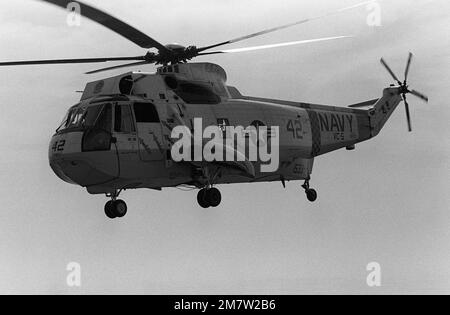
(113, 24)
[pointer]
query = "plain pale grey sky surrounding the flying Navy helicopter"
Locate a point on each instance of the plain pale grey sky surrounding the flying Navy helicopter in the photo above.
(386, 202)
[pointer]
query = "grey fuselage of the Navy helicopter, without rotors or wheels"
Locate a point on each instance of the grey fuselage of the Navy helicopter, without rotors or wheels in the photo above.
(119, 135)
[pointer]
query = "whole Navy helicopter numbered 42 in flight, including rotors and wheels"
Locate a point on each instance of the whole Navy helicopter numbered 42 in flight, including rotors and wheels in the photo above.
(118, 136)
